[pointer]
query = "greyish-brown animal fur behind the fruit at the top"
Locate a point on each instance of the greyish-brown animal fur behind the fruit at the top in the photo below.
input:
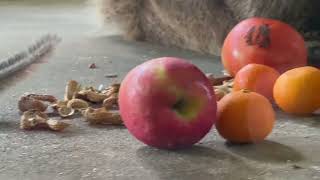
(201, 25)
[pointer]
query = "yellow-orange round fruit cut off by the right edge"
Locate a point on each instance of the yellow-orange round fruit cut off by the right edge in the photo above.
(297, 91)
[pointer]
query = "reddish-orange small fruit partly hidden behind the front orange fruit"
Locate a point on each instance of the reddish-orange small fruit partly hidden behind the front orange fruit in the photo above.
(257, 78)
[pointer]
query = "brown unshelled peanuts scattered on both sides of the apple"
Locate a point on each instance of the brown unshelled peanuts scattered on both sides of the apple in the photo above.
(97, 106)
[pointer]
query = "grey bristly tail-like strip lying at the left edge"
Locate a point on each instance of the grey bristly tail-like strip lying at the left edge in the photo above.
(30, 55)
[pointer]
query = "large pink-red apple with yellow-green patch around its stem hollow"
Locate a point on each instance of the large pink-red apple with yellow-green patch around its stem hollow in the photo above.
(148, 99)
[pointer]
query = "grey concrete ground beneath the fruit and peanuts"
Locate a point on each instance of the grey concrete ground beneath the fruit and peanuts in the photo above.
(105, 152)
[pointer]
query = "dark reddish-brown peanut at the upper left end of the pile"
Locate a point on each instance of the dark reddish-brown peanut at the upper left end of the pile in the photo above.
(27, 103)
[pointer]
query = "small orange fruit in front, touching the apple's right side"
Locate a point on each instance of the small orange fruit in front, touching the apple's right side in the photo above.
(245, 117)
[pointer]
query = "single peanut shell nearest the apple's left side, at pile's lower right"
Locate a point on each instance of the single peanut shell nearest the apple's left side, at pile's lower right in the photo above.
(101, 116)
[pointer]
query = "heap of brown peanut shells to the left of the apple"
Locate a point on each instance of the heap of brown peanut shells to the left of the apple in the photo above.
(75, 98)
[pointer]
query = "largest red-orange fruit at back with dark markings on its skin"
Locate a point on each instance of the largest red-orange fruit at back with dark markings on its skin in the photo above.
(263, 41)
